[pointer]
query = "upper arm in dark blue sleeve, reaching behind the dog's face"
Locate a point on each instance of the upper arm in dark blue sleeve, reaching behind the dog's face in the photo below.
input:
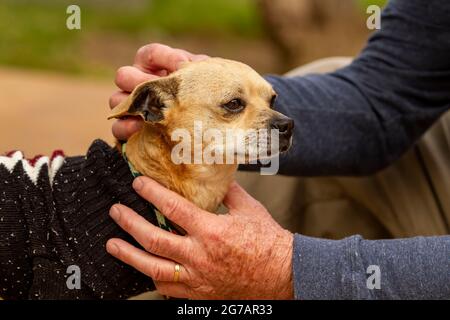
(359, 119)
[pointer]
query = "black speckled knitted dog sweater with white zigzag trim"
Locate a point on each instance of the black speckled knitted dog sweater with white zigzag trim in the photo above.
(54, 214)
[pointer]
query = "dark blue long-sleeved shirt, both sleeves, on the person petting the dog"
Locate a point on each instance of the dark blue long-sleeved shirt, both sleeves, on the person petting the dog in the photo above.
(357, 121)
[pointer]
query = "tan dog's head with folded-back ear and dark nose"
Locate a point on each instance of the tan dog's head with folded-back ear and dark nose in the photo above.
(223, 95)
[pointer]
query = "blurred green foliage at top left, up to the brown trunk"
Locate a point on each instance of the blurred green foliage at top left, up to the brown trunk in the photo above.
(33, 33)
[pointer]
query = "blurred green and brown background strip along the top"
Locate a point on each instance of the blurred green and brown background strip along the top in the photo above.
(33, 33)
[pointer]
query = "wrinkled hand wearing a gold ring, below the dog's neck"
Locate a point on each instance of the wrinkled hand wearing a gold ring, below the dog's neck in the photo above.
(244, 254)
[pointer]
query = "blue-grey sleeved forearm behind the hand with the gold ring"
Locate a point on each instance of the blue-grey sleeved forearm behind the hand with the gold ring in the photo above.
(415, 268)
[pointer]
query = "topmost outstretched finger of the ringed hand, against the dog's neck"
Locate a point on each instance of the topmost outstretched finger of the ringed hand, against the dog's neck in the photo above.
(173, 206)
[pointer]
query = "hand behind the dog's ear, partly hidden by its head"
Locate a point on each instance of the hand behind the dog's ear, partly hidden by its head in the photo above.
(151, 62)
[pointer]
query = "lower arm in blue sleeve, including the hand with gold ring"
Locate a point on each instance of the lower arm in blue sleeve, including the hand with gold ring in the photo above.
(245, 254)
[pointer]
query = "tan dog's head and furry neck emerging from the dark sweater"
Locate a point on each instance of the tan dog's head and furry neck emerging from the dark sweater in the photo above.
(221, 94)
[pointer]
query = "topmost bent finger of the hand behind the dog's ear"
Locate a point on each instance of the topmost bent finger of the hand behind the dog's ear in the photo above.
(157, 56)
